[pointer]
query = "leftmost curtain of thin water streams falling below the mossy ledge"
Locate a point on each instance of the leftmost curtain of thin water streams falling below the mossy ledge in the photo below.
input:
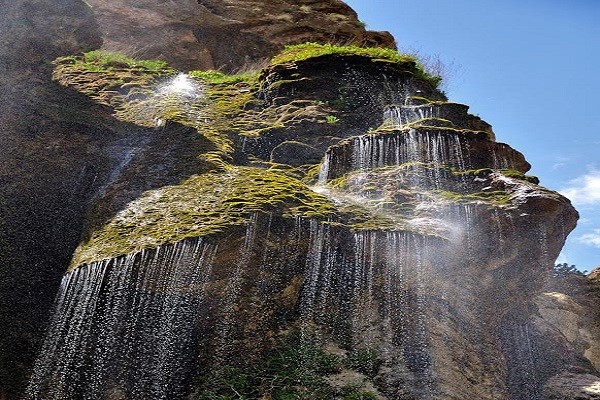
(125, 325)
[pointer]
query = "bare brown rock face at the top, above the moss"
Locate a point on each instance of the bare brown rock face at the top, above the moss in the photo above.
(228, 35)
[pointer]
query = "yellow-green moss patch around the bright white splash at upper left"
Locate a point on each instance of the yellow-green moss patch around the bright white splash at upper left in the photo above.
(131, 86)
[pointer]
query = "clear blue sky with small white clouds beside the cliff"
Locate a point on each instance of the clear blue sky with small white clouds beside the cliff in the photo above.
(531, 69)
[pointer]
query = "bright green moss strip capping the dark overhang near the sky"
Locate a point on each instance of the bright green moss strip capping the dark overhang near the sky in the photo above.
(300, 52)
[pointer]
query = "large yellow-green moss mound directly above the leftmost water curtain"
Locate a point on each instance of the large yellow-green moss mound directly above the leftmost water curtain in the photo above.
(202, 205)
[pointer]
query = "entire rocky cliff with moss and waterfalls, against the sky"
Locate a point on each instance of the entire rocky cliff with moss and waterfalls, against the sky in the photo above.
(323, 224)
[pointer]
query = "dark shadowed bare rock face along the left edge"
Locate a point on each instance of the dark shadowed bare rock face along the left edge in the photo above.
(41, 172)
